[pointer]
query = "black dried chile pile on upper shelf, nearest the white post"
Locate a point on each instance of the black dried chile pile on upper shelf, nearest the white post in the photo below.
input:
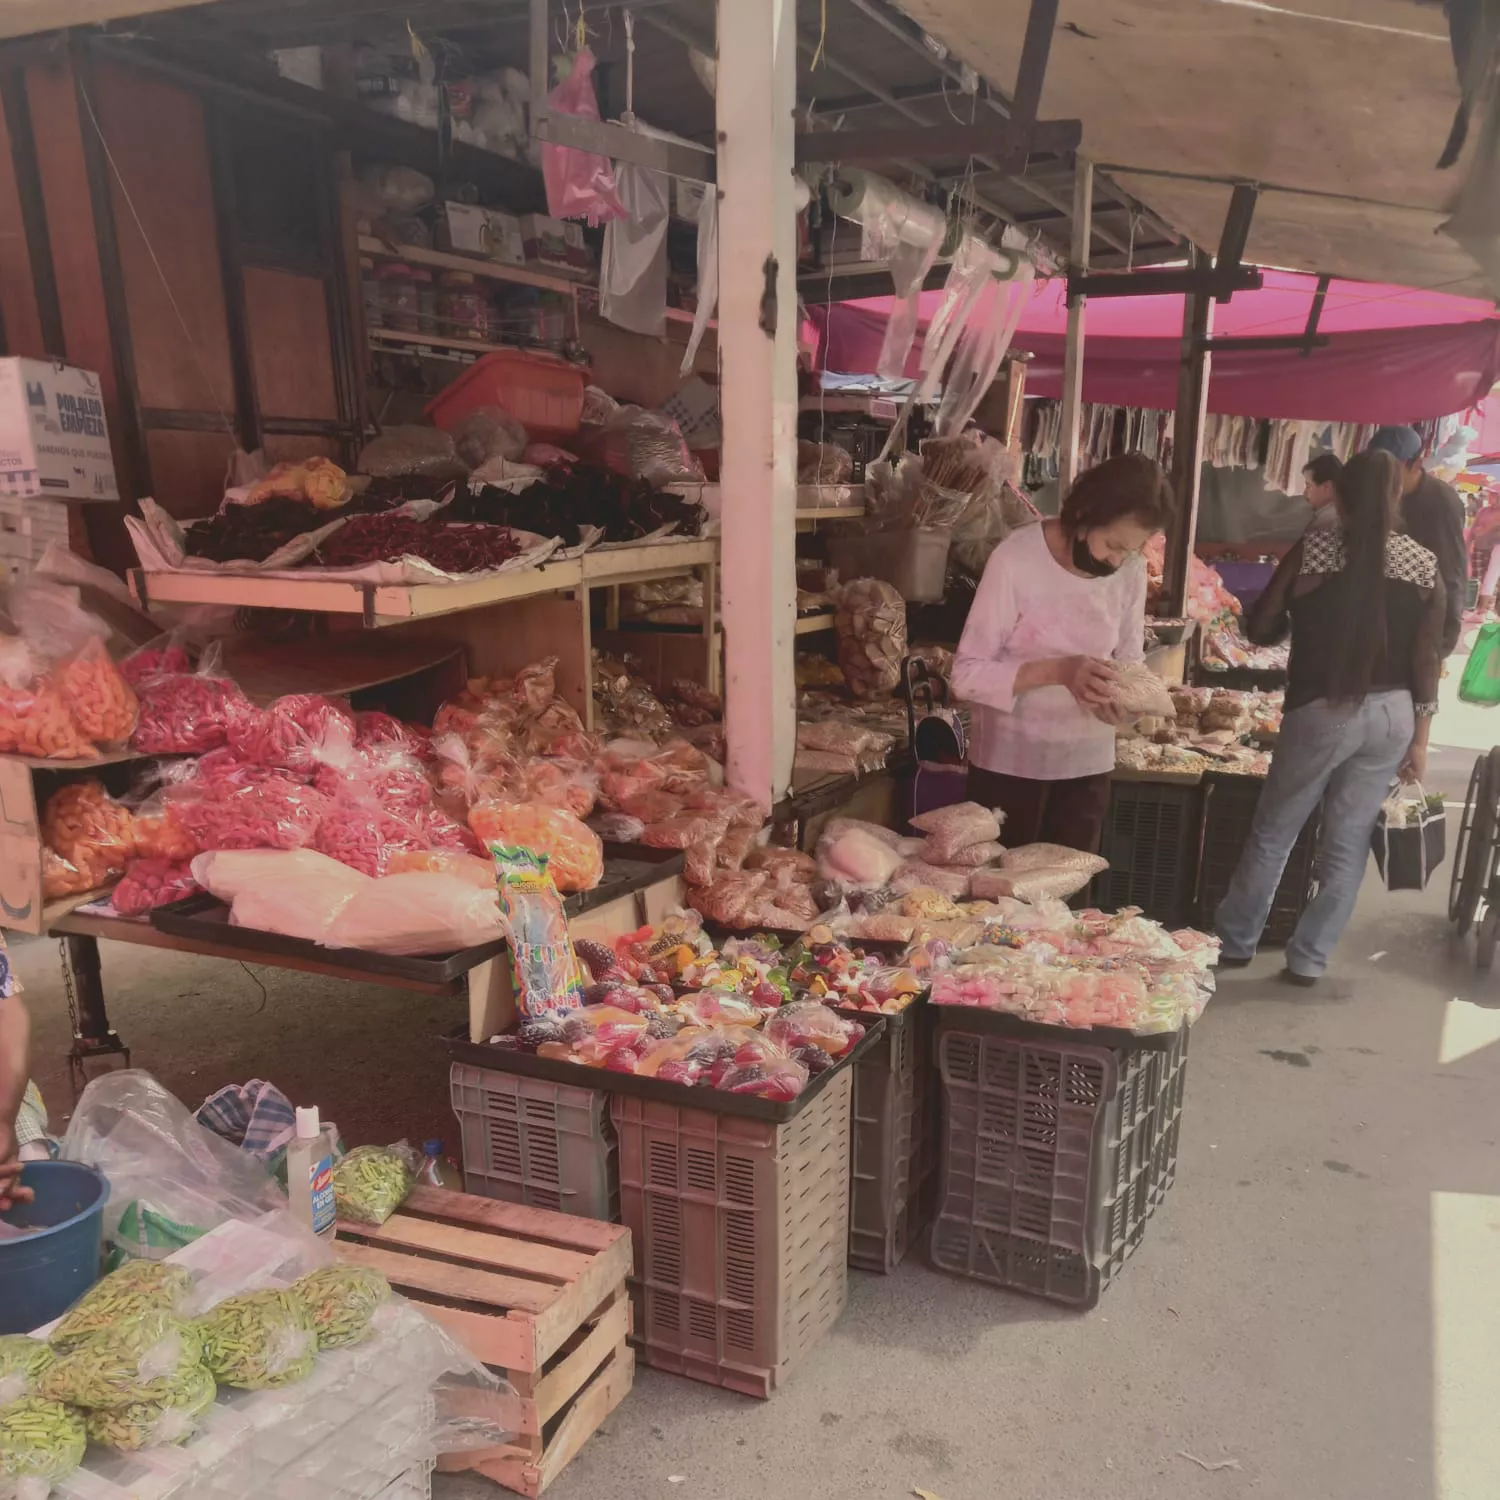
(568, 500)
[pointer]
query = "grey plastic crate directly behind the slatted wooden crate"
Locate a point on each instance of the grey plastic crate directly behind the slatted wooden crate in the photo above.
(527, 1141)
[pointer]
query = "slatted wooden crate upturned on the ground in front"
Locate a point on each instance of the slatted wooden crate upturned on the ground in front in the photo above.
(536, 1295)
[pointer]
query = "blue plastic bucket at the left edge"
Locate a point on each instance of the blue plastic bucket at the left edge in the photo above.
(44, 1274)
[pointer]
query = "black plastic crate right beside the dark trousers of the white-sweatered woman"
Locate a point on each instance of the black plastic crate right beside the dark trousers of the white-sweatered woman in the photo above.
(1151, 841)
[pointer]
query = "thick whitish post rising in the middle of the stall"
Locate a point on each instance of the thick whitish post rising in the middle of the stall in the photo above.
(758, 394)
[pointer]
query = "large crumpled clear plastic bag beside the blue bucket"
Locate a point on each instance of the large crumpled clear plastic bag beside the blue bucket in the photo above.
(166, 1171)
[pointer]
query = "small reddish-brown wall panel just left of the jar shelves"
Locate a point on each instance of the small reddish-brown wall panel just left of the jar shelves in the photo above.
(287, 319)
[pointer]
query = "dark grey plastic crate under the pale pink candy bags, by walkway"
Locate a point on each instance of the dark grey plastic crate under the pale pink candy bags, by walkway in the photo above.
(1054, 1159)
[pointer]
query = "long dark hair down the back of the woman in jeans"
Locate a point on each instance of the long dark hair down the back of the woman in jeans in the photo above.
(1369, 487)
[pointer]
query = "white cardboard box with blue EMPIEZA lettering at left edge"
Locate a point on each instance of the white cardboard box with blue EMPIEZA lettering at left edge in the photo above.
(53, 434)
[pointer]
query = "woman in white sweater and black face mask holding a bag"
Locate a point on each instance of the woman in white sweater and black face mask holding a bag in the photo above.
(1058, 605)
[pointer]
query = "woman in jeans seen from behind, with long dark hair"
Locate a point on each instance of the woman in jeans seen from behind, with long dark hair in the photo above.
(1366, 610)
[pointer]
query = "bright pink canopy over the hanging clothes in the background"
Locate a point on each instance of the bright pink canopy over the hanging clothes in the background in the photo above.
(1396, 353)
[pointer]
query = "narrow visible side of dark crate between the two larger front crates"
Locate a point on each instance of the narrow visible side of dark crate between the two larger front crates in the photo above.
(893, 1145)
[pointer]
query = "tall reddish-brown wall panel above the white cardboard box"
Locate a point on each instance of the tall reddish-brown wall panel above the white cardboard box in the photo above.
(158, 140)
